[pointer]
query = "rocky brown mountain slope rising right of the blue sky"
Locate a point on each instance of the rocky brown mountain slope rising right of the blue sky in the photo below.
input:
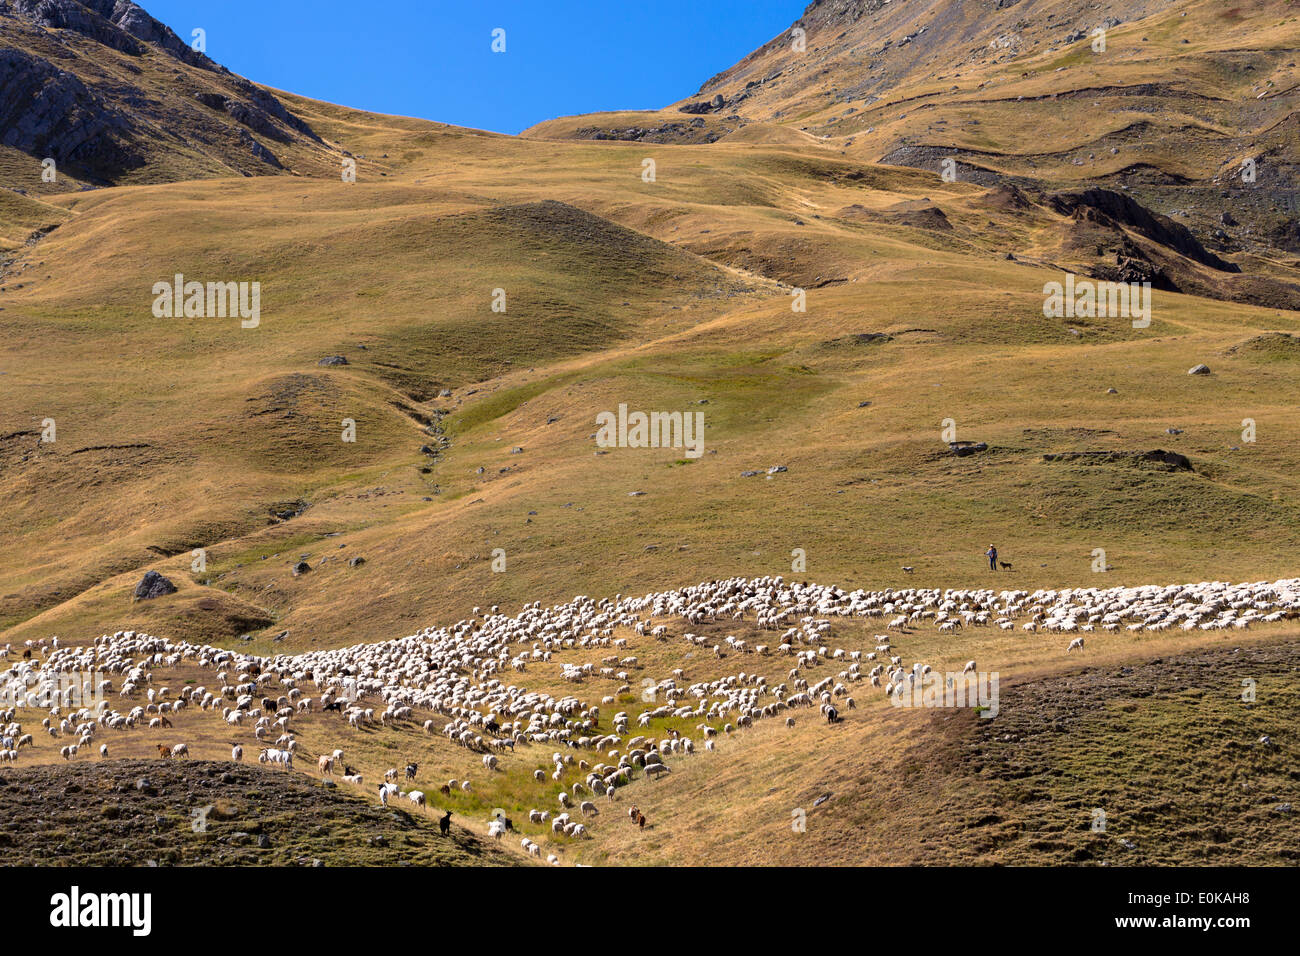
(1171, 107)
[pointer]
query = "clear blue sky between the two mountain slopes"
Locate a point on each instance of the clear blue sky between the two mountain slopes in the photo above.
(434, 59)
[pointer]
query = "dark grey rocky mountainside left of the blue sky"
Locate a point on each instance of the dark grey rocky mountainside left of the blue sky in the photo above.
(59, 102)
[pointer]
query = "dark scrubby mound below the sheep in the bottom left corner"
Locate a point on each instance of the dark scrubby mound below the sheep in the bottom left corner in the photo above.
(201, 814)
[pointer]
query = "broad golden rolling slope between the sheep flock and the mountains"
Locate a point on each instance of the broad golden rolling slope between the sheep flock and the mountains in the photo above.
(670, 296)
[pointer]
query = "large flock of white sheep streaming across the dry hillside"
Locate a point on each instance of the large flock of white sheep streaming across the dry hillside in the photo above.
(470, 676)
